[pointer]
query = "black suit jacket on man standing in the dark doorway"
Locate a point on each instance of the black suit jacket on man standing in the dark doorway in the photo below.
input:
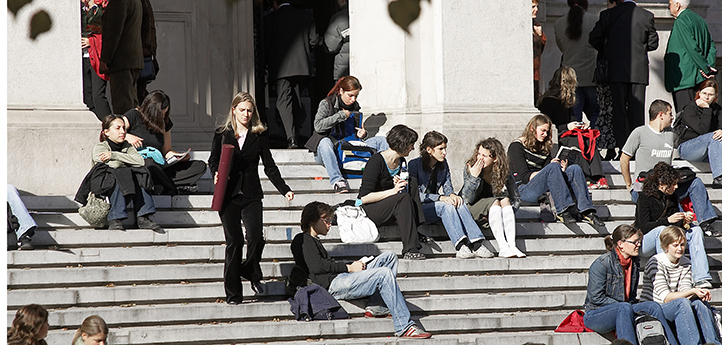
(290, 34)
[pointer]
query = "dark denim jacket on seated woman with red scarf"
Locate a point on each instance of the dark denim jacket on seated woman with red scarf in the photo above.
(606, 281)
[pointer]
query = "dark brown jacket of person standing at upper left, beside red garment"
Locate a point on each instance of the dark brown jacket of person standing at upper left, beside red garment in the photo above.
(122, 48)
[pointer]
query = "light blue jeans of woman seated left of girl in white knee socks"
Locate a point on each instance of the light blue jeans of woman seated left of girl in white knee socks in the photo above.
(458, 221)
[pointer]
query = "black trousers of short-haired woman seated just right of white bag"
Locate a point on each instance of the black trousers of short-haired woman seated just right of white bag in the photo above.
(398, 208)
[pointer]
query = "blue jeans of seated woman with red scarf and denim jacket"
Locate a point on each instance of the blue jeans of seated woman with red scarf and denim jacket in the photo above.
(620, 317)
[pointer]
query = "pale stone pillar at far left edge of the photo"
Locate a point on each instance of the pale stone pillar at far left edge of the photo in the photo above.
(50, 131)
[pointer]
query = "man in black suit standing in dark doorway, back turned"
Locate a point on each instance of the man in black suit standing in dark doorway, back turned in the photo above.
(289, 34)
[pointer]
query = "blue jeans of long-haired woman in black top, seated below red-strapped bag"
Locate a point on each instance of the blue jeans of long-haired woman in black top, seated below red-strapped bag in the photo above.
(553, 179)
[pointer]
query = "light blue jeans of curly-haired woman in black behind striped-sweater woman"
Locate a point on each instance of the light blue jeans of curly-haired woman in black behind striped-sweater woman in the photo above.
(695, 242)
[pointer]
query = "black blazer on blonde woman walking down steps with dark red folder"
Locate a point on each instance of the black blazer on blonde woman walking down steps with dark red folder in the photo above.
(243, 175)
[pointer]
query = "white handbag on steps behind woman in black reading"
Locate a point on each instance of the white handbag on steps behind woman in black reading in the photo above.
(354, 226)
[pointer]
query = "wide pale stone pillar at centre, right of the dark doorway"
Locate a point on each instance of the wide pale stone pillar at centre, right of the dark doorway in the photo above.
(465, 70)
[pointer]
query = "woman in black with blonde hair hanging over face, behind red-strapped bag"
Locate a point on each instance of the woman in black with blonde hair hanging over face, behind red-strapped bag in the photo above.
(558, 103)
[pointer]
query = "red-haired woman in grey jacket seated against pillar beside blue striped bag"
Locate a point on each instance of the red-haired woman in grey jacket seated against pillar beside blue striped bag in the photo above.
(332, 123)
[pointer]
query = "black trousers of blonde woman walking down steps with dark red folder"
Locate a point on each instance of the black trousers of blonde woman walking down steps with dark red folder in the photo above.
(251, 213)
